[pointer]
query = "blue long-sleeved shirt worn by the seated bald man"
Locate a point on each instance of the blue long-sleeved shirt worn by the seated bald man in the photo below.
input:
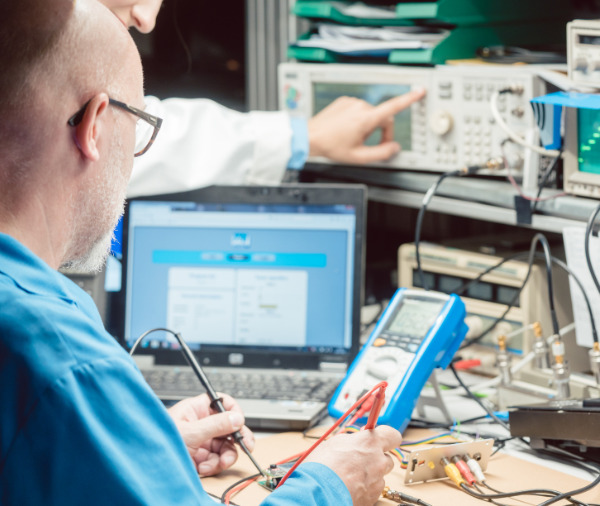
(78, 423)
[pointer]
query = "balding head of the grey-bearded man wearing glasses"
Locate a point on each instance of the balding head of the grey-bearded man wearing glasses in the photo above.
(68, 181)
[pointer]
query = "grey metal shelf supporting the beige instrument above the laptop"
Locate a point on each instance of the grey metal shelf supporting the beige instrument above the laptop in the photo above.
(475, 198)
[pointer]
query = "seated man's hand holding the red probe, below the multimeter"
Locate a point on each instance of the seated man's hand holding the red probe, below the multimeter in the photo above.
(359, 460)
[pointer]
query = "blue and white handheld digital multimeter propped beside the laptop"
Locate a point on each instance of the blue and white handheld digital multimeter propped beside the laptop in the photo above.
(418, 331)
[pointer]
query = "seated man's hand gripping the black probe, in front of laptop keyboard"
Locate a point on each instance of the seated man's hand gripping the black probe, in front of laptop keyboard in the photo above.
(204, 432)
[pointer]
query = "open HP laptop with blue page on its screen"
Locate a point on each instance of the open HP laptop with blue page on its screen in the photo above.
(263, 283)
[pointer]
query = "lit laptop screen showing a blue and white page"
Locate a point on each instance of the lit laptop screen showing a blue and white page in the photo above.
(276, 276)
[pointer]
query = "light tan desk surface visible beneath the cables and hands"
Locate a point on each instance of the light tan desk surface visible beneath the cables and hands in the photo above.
(504, 472)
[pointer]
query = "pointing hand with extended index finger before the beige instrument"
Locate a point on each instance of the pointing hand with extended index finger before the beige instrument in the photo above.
(339, 131)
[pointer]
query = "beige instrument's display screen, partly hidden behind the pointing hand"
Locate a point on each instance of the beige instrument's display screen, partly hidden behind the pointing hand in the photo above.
(325, 93)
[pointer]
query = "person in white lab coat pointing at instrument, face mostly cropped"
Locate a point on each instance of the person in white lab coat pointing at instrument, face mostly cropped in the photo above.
(204, 143)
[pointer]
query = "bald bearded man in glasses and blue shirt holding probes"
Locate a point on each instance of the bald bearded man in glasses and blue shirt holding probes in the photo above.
(78, 424)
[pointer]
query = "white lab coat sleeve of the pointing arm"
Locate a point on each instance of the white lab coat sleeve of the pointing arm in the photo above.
(202, 143)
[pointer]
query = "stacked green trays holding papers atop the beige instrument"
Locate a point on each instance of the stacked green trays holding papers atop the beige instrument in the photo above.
(468, 26)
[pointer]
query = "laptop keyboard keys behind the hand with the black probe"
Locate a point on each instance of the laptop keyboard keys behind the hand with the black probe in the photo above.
(288, 385)
